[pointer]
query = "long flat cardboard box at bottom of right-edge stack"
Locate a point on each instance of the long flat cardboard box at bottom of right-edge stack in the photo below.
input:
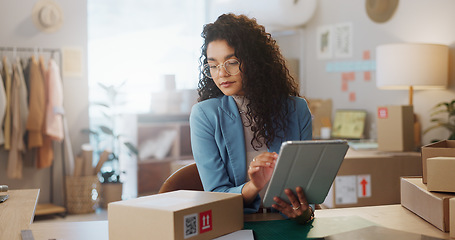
(431, 206)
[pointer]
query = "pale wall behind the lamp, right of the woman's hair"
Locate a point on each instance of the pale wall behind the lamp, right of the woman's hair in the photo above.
(414, 21)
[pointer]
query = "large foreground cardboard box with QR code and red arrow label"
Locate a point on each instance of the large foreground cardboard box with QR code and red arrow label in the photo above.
(176, 215)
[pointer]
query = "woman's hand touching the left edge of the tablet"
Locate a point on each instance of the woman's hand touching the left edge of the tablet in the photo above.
(261, 169)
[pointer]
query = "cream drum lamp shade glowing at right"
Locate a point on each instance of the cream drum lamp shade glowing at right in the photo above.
(404, 65)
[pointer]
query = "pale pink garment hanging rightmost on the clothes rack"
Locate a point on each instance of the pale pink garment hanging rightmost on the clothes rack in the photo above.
(54, 108)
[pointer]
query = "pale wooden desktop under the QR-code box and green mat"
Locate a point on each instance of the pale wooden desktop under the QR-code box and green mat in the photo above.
(391, 216)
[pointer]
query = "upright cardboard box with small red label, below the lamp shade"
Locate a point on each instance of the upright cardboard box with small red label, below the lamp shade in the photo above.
(395, 126)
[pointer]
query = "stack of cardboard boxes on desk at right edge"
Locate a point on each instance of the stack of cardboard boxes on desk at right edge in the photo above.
(432, 196)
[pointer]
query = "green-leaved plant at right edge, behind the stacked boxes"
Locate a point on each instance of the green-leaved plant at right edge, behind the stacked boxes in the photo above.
(448, 110)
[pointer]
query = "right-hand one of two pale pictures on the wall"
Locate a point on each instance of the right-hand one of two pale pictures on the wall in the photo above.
(343, 40)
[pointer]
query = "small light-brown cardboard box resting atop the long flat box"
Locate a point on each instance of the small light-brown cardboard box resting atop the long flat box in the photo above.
(441, 174)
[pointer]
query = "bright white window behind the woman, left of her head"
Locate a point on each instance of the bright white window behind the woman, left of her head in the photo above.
(140, 41)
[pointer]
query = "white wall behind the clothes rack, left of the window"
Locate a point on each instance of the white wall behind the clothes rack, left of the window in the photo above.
(17, 29)
